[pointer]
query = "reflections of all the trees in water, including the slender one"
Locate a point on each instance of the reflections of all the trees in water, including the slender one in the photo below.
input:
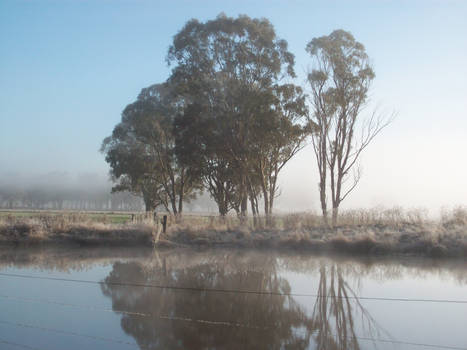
(182, 319)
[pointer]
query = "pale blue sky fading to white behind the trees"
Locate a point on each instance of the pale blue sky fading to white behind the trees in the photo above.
(68, 68)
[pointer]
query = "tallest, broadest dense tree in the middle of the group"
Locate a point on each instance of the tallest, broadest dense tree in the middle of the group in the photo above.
(240, 125)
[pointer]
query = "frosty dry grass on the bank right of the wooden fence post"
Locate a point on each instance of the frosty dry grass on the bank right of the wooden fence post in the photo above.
(375, 232)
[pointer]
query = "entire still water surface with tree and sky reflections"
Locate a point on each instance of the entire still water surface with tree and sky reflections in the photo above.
(227, 299)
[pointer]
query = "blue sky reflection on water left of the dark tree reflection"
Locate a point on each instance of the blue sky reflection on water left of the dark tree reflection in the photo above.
(71, 319)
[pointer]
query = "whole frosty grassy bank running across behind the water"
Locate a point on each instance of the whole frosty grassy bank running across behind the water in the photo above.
(355, 235)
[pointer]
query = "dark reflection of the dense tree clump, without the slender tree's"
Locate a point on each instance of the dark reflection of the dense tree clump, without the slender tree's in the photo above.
(259, 321)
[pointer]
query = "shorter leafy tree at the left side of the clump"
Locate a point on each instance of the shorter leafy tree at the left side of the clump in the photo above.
(141, 151)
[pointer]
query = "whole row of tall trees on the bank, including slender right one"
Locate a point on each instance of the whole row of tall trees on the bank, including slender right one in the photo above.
(228, 119)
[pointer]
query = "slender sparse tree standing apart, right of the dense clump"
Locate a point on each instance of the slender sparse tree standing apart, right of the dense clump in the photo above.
(339, 81)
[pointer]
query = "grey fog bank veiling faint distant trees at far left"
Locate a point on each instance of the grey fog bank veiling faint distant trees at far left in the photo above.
(81, 191)
